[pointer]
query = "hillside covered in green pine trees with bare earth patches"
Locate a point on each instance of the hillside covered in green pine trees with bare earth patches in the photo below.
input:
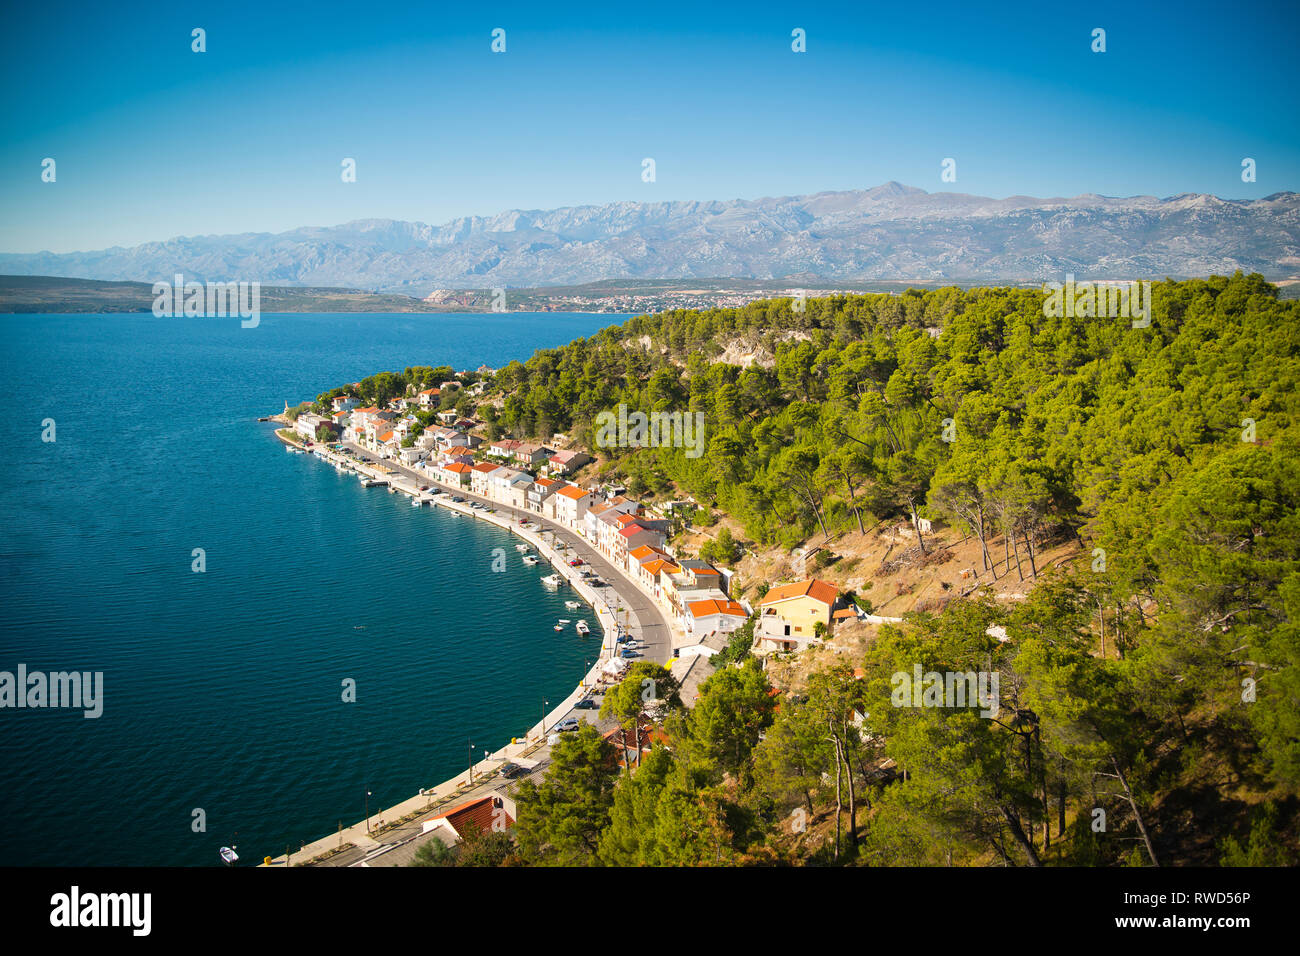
(1136, 494)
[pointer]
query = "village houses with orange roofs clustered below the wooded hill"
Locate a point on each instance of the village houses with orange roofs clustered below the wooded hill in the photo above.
(526, 477)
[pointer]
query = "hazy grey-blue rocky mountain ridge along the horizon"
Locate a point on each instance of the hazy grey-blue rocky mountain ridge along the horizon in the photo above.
(891, 232)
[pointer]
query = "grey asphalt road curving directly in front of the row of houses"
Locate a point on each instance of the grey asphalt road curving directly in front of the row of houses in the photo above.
(645, 620)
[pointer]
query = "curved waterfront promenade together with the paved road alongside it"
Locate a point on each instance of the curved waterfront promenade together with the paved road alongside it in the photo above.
(392, 832)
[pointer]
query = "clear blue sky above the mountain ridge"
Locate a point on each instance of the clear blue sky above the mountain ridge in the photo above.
(154, 141)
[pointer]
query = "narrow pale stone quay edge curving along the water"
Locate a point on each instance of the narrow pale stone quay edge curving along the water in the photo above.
(362, 836)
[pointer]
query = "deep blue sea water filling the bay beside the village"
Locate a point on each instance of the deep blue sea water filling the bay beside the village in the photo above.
(223, 690)
